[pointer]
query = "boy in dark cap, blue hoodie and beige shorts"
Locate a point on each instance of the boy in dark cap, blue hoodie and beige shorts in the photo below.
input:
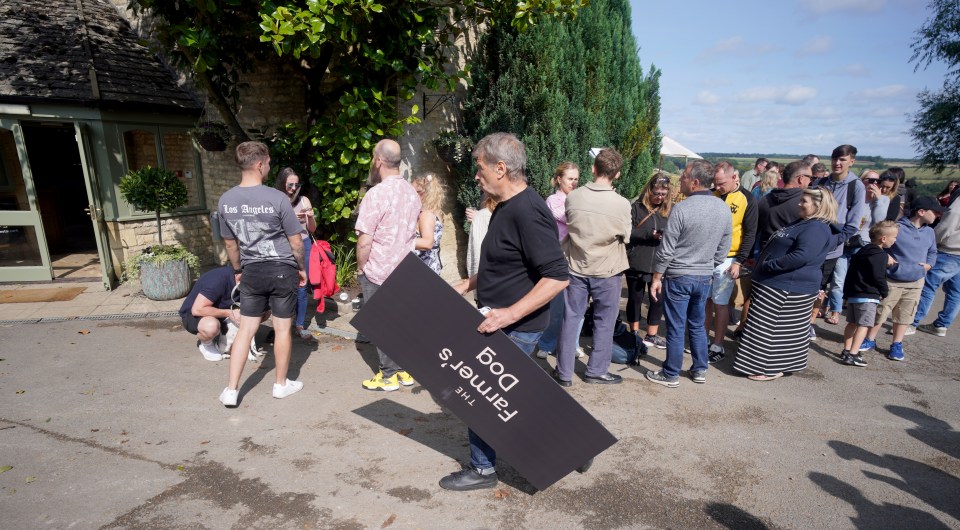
(915, 253)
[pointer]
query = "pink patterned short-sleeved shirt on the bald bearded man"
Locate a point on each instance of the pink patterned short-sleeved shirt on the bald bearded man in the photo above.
(388, 213)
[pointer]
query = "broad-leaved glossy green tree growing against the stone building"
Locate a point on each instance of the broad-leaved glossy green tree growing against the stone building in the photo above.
(358, 59)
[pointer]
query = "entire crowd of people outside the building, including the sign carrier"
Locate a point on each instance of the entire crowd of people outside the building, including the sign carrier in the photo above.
(783, 245)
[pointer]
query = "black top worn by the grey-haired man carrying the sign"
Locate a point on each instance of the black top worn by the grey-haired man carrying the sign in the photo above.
(520, 248)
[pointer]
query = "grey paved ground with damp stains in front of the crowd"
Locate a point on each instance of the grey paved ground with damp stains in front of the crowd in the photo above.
(115, 424)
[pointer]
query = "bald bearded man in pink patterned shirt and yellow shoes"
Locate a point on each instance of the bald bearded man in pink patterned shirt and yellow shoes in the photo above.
(386, 228)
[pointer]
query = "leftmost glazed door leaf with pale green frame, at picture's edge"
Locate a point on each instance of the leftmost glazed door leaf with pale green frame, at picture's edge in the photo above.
(23, 249)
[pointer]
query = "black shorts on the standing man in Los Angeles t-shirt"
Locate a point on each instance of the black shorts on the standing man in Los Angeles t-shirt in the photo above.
(269, 285)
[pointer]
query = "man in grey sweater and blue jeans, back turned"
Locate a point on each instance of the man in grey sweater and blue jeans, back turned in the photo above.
(696, 240)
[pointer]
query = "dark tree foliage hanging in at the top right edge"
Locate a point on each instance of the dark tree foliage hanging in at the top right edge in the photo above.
(936, 127)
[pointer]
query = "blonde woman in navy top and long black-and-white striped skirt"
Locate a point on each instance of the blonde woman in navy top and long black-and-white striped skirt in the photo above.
(785, 284)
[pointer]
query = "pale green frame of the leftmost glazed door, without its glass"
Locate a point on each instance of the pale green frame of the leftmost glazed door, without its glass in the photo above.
(25, 218)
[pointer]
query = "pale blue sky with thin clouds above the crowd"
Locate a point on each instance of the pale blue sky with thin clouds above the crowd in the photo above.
(792, 76)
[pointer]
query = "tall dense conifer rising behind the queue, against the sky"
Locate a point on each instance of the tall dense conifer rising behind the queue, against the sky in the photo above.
(563, 87)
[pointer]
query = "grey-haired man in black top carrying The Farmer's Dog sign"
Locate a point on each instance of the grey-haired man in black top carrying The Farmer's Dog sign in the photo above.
(521, 270)
